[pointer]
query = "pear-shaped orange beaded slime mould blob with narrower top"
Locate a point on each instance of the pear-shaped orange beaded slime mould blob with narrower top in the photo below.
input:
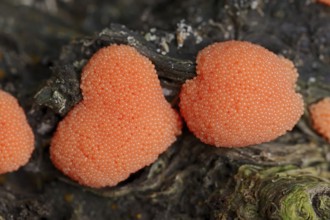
(122, 124)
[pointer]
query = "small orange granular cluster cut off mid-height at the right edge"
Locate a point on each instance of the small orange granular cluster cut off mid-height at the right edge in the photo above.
(320, 115)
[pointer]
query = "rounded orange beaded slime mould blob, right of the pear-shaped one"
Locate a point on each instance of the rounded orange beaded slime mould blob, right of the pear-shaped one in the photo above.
(243, 94)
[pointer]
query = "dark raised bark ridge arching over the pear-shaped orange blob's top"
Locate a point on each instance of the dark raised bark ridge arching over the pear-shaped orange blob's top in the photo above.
(62, 92)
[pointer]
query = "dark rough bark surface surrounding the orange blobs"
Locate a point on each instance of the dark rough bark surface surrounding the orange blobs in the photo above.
(43, 47)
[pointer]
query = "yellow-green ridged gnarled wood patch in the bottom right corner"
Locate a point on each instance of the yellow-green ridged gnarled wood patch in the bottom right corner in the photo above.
(283, 192)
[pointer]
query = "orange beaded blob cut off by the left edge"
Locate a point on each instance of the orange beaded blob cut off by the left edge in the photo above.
(16, 136)
